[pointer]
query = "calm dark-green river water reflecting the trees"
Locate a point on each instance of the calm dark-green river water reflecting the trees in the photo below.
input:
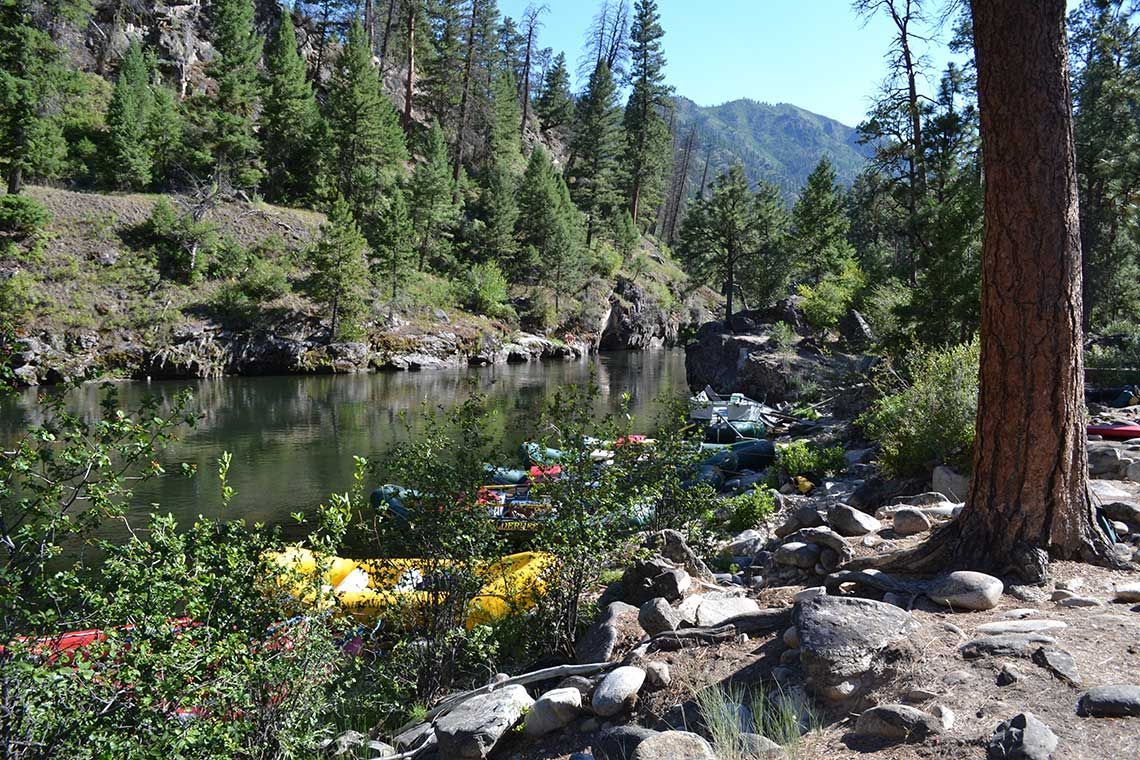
(294, 438)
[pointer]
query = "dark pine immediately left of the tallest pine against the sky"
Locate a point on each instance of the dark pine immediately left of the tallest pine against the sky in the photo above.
(596, 148)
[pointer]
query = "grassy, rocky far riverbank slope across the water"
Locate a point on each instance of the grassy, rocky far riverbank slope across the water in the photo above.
(97, 307)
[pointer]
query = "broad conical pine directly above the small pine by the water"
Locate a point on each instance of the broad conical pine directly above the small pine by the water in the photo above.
(368, 143)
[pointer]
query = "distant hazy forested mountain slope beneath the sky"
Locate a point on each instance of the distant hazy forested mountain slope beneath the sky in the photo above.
(778, 143)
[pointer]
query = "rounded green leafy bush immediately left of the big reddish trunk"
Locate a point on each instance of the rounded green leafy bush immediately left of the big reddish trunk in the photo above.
(931, 420)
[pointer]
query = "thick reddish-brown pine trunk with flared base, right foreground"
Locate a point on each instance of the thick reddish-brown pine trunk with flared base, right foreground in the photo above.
(1030, 497)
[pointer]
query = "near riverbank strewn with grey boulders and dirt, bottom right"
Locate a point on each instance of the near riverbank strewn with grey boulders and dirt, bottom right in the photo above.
(866, 665)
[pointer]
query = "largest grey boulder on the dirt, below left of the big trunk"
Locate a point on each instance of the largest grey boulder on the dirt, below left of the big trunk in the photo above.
(848, 644)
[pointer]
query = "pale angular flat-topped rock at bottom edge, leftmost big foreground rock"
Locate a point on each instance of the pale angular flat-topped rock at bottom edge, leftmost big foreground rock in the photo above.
(475, 726)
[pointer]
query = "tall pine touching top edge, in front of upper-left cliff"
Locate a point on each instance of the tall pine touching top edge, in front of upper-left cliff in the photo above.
(234, 143)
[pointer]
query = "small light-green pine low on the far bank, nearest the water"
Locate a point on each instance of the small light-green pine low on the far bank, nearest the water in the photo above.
(340, 273)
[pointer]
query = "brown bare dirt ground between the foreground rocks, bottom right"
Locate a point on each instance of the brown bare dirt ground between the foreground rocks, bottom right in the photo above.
(1105, 643)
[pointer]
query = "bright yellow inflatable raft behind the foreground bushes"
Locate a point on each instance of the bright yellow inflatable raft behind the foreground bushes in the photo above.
(404, 589)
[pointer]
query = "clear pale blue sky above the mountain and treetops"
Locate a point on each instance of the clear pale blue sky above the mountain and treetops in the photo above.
(815, 54)
